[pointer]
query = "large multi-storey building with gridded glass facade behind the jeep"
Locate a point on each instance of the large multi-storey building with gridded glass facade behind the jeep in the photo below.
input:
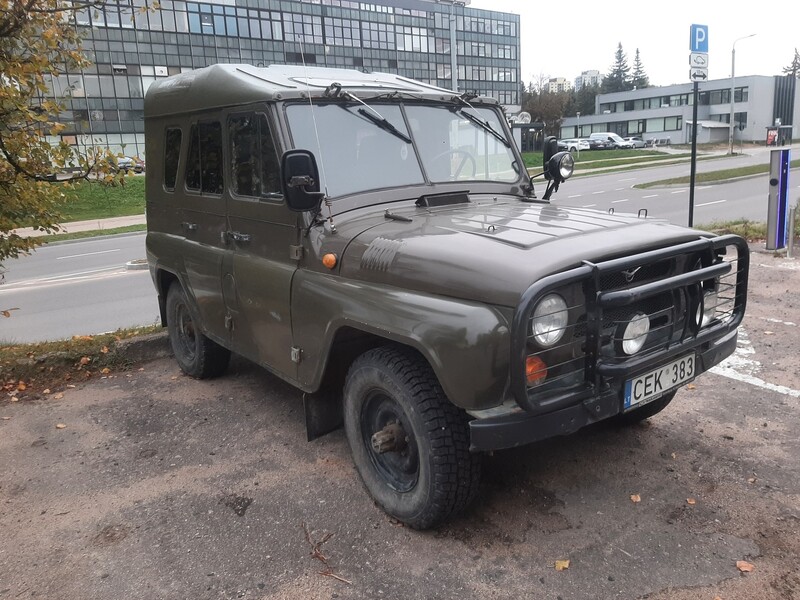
(131, 44)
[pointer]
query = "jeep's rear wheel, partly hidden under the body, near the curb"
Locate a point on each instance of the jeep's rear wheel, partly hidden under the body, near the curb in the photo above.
(197, 355)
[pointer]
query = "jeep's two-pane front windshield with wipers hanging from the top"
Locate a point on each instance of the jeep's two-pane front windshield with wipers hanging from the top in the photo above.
(357, 152)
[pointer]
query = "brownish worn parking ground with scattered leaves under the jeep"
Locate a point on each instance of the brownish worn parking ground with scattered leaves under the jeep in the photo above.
(159, 486)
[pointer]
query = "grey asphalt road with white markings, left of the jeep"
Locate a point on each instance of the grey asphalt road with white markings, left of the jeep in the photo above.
(77, 288)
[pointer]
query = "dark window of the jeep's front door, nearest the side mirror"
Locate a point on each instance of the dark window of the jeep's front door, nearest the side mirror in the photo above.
(254, 163)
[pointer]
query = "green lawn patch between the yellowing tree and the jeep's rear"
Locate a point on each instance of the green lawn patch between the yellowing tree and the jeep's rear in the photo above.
(93, 200)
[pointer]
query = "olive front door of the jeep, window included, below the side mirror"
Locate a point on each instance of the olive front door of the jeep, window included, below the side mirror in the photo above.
(263, 235)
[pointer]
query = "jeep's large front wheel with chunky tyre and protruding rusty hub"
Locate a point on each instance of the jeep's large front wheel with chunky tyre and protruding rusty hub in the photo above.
(410, 444)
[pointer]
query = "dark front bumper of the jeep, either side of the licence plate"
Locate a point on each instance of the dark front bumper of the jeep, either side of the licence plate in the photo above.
(524, 427)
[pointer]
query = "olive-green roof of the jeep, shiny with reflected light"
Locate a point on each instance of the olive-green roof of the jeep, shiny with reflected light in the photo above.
(235, 84)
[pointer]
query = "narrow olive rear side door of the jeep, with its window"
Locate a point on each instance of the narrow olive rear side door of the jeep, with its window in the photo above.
(203, 223)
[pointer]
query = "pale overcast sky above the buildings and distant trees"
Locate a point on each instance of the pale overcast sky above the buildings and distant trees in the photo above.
(561, 39)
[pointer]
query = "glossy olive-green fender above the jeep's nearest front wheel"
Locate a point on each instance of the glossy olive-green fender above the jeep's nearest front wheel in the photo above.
(466, 343)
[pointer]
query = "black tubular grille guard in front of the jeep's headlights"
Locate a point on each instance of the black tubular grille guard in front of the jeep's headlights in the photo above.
(596, 299)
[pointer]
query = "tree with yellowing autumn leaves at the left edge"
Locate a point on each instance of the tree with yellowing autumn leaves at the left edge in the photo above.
(37, 42)
